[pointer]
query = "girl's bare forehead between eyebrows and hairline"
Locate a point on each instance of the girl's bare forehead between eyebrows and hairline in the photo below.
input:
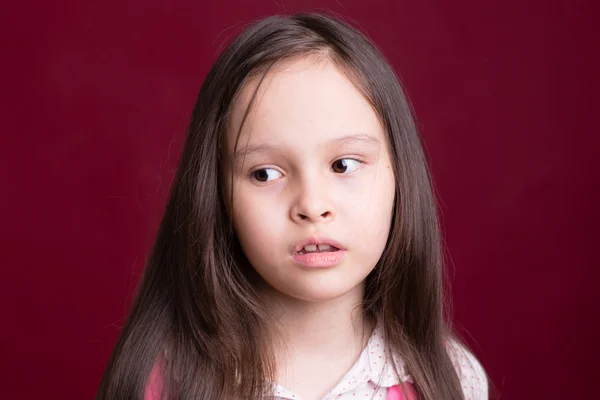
(305, 98)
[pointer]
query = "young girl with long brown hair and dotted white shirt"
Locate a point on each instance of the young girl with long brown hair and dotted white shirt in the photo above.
(299, 256)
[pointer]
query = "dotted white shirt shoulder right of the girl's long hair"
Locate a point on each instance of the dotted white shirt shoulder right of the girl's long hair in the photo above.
(472, 376)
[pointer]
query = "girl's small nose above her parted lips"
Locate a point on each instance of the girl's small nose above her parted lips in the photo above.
(312, 204)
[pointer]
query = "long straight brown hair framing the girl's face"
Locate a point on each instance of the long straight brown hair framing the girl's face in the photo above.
(197, 308)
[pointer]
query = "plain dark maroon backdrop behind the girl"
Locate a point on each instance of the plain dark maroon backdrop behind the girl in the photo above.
(96, 97)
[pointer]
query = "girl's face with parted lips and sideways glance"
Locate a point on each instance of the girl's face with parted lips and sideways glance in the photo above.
(313, 186)
